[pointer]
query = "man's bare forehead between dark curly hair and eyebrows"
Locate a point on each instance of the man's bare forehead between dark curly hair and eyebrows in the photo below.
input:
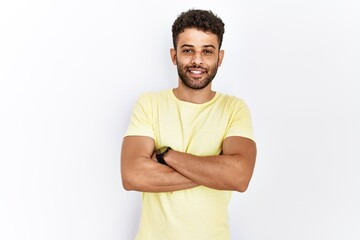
(197, 38)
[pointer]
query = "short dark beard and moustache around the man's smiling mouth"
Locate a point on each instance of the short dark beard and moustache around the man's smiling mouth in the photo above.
(196, 83)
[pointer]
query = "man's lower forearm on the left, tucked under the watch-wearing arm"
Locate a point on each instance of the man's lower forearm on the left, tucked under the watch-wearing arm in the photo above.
(146, 175)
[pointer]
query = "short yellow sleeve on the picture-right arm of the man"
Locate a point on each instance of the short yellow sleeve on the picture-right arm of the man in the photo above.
(240, 122)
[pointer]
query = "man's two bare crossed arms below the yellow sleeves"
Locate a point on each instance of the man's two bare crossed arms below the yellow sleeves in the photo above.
(232, 170)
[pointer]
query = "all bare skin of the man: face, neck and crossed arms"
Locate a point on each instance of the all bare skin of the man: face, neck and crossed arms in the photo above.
(197, 57)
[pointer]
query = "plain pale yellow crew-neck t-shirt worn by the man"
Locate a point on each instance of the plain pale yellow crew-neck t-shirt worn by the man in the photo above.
(199, 213)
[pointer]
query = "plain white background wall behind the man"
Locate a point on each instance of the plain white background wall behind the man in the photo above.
(71, 71)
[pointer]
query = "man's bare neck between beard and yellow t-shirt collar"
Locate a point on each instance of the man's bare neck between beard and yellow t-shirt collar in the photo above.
(197, 96)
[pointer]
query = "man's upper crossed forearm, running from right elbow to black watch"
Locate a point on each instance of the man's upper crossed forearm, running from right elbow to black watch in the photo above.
(222, 172)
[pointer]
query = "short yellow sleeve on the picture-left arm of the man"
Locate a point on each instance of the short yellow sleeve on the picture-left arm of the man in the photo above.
(140, 120)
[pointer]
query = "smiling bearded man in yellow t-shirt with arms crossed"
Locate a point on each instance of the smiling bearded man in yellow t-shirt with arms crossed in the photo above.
(189, 147)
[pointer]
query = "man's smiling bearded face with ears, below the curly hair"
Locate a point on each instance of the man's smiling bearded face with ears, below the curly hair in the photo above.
(197, 57)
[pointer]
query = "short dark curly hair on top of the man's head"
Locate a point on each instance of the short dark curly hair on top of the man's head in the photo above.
(200, 19)
